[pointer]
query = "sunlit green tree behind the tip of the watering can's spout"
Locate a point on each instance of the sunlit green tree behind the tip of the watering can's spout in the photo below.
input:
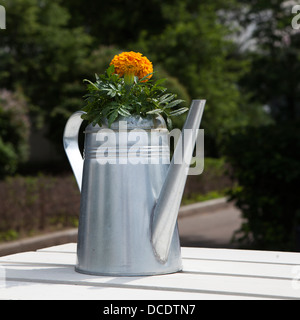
(194, 47)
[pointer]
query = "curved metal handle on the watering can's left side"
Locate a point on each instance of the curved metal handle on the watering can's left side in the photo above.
(70, 140)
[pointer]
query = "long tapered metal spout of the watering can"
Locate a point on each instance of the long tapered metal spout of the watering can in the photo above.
(166, 210)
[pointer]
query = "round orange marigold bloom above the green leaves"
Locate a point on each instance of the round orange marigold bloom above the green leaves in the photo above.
(132, 64)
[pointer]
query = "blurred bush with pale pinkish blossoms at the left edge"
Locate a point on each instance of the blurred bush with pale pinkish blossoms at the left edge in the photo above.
(14, 131)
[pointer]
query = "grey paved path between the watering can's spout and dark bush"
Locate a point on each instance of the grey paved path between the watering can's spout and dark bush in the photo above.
(210, 230)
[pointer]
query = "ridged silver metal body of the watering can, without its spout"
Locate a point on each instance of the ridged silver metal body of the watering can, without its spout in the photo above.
(117, 200)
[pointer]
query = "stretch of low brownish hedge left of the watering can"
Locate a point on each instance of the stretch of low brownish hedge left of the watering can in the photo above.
(31, 205)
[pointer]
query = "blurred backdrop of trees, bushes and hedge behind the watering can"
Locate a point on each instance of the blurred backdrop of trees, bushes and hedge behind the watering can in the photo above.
(243, 57)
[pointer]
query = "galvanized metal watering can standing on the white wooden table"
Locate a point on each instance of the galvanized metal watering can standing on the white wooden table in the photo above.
(128, 209)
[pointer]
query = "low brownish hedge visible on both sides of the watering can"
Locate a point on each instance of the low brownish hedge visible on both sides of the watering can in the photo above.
(36, 204)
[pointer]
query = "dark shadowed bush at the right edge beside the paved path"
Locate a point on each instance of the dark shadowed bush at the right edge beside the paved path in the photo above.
(265, 163)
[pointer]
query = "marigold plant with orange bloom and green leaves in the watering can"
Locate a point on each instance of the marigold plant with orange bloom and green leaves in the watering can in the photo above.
(127, 89)
